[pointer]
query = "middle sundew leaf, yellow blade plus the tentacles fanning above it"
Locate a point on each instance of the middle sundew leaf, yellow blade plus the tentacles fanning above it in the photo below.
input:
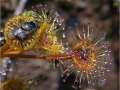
(49, 21)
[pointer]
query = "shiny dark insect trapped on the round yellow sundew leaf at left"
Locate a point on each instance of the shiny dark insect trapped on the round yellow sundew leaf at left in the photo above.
(23, 31)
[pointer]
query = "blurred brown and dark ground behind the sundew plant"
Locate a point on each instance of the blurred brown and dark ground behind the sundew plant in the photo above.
(97, 12)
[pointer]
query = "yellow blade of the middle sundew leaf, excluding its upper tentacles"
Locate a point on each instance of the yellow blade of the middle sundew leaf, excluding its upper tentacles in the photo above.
(48, 39)
